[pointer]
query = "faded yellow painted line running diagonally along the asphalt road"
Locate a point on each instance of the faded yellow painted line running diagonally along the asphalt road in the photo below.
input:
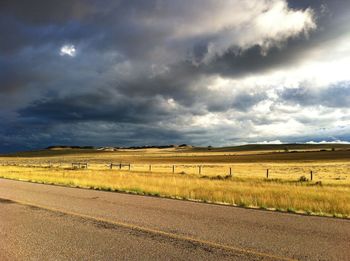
(155, 231)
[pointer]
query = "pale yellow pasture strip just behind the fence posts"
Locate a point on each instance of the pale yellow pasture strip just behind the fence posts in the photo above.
(327, 172)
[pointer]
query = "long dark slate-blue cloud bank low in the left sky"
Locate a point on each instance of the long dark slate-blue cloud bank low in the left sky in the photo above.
(99, 106)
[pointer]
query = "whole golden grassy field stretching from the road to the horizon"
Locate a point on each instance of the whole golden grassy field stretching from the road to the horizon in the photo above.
(203, 175)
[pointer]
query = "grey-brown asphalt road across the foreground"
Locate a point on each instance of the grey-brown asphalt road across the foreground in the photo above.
(43, 222)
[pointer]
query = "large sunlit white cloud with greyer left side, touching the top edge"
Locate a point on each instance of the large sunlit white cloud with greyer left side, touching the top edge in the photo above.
(223, 24)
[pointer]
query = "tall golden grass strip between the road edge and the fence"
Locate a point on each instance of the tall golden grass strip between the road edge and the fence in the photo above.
(289, 195)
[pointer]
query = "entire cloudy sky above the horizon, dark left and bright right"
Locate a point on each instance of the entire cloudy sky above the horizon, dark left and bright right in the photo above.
(156, 72)
